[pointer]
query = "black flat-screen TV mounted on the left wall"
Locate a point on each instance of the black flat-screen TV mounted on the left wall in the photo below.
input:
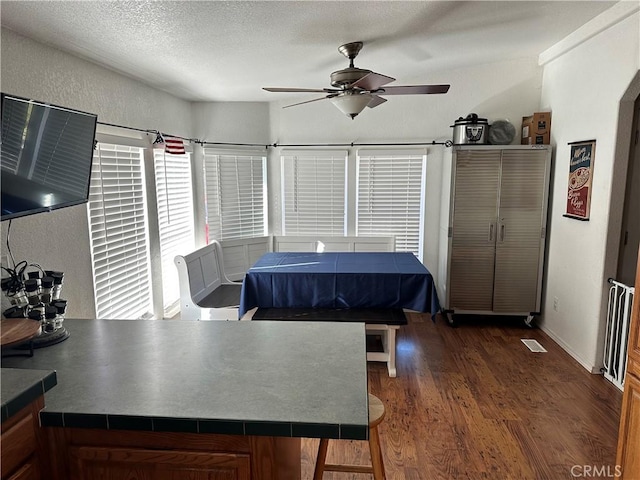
(45, 156)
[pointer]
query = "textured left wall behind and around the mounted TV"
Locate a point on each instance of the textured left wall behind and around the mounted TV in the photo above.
(59, 240)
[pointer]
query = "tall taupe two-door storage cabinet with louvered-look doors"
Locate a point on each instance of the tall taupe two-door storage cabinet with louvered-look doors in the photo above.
(497, 229)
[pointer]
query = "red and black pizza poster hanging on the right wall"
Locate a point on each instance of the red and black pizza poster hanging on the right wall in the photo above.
(580, 178)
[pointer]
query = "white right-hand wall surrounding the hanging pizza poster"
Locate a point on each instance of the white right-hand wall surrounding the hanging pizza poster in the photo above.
(583, 88)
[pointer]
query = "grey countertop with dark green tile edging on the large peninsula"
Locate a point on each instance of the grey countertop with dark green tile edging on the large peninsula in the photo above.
(293, 379)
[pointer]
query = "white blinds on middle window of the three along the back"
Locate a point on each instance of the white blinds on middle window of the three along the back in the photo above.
(313, 192)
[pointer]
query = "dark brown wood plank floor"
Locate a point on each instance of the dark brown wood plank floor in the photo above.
(473, 402)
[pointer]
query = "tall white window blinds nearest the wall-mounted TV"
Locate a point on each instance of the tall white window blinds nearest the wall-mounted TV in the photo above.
(118, 233)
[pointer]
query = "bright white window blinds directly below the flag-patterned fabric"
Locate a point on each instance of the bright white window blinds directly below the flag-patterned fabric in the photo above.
(175, 217)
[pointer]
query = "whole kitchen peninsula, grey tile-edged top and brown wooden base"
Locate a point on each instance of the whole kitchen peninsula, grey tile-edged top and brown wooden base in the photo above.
(184, 399)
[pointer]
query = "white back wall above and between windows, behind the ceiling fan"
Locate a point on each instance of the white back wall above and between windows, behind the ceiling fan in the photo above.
(506, 90)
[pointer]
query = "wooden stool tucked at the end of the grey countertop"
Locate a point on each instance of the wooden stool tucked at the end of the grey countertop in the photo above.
(376, 414)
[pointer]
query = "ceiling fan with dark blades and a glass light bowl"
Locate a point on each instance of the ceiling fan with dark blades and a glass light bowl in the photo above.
(357, 88)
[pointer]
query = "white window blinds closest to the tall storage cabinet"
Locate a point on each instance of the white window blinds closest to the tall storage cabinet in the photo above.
(390, 196)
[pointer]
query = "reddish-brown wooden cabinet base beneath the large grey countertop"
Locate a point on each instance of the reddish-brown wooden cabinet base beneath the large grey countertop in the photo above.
(87, 454)
